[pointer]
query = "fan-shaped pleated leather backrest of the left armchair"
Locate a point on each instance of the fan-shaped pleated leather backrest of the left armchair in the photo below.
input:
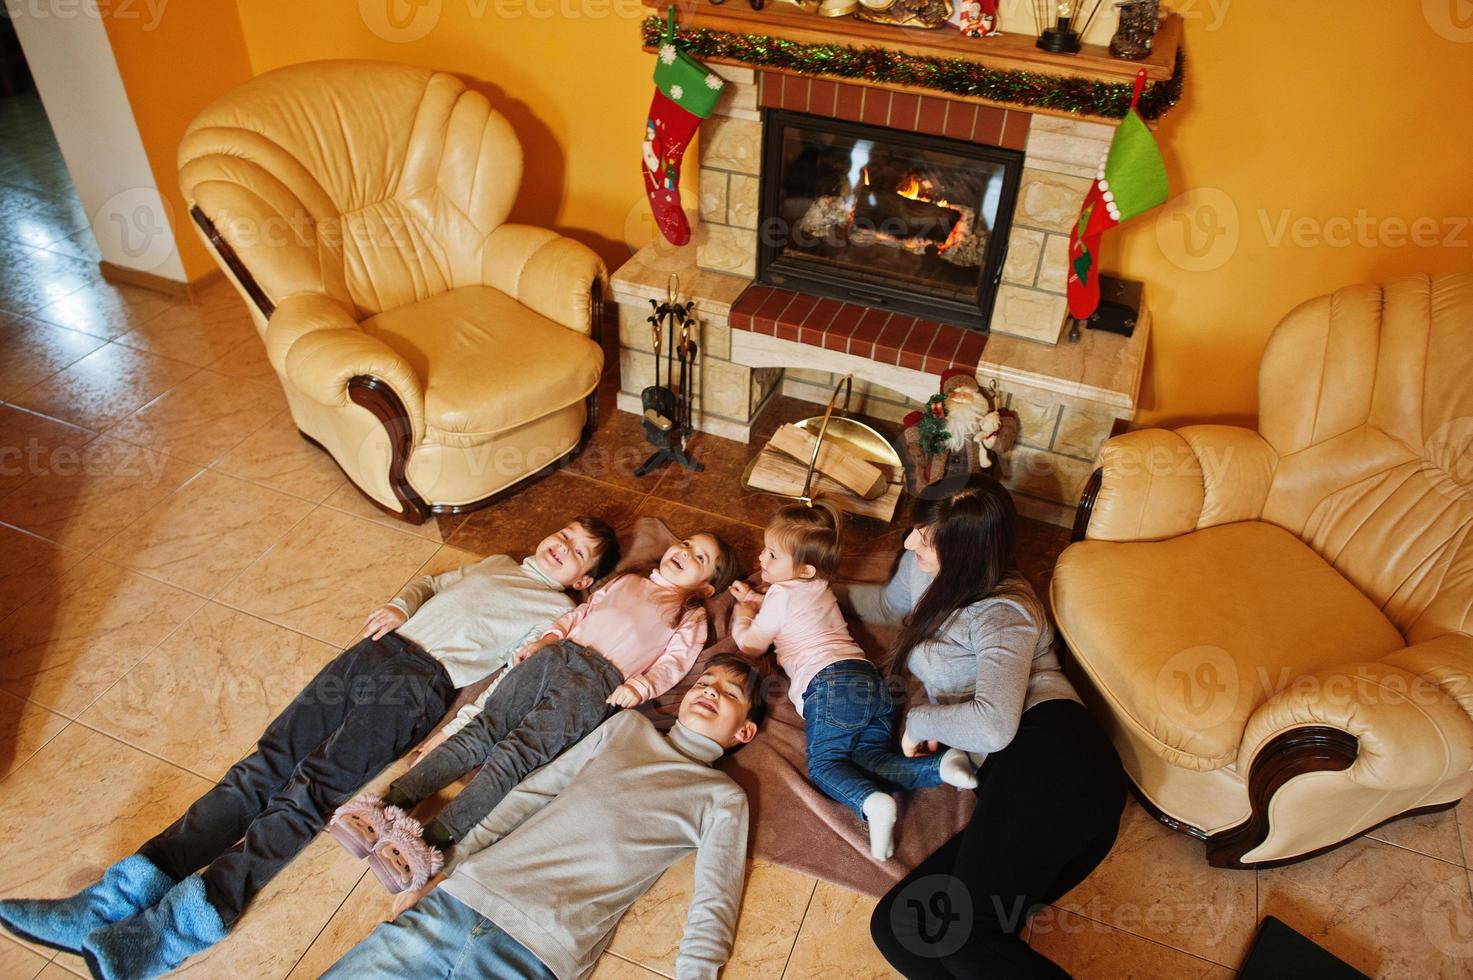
(373, 183)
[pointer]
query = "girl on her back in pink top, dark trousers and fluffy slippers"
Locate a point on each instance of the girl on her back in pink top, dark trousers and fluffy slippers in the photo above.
(631, 642)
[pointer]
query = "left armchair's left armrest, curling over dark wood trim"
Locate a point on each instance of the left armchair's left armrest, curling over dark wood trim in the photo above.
(319, 349)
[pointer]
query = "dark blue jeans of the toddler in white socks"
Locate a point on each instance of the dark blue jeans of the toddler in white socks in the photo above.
(851, 721)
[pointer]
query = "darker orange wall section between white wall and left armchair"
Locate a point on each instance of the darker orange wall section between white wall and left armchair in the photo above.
(176, 58)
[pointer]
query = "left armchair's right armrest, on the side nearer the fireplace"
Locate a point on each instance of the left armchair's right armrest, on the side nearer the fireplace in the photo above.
(546, 272)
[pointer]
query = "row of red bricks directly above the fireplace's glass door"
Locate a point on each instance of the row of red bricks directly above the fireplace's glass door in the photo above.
(896, 110)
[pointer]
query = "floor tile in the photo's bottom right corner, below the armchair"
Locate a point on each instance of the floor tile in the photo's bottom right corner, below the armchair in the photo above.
(1387, 911)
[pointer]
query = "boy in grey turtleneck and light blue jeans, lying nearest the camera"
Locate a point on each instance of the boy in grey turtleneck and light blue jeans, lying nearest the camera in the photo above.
(538, 888)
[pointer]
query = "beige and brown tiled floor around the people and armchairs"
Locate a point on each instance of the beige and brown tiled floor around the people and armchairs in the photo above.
(177, 562)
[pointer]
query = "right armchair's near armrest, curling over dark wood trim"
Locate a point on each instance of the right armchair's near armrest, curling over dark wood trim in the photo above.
(1409, 732)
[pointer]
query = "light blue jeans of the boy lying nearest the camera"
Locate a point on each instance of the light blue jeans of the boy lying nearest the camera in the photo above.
(440, 938)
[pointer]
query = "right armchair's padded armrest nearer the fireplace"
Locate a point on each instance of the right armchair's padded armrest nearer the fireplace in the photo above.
(1160, 484)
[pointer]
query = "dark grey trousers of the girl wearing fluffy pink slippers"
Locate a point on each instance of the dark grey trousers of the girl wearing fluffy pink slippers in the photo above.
(543, 707)
